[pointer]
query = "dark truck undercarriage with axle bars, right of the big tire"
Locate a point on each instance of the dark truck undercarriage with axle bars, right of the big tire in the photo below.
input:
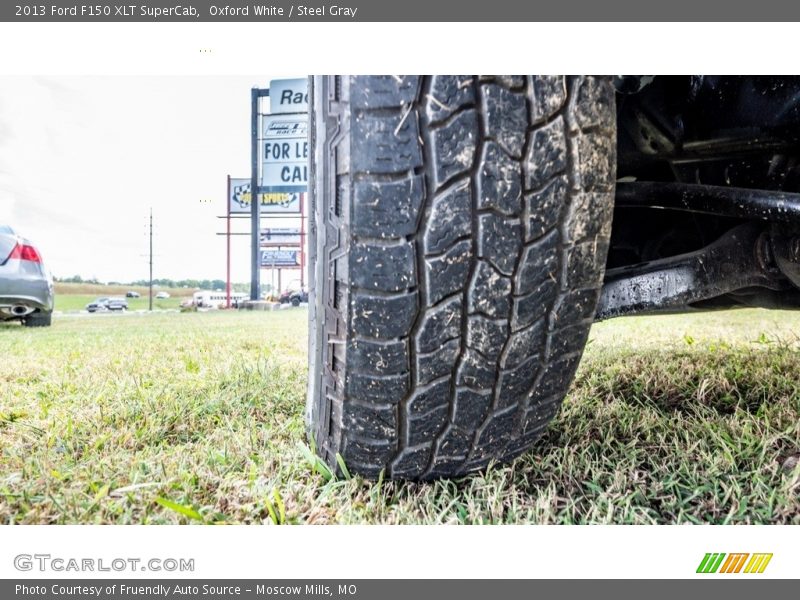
(707, 213)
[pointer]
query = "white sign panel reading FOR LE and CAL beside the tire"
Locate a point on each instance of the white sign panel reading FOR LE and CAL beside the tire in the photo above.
(284, 153)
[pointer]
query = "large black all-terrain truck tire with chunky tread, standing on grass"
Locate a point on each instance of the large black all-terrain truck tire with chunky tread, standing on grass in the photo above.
(459, 235)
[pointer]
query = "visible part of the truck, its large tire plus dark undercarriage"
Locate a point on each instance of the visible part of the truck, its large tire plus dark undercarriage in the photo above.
(467, 243)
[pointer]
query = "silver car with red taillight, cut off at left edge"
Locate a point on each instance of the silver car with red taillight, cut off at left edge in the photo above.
(26, 285)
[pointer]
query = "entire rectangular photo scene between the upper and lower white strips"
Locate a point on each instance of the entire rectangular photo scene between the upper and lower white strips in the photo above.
(400, 299)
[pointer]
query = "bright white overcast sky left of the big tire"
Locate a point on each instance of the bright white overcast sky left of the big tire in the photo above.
(82, 159)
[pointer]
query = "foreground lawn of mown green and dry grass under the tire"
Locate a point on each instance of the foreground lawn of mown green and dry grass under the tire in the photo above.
(174, 418)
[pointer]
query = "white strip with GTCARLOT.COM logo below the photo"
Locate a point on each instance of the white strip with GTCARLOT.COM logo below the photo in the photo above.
(372, 552)
